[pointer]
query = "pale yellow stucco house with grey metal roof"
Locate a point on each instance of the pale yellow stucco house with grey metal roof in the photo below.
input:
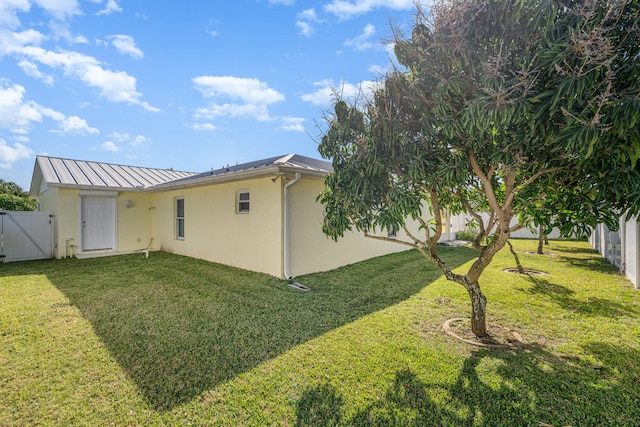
(261, 216)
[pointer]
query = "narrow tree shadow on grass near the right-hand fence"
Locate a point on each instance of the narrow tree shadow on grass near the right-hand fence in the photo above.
(591, 306)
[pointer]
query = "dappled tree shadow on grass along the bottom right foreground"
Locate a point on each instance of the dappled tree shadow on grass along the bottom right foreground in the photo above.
(529, 386)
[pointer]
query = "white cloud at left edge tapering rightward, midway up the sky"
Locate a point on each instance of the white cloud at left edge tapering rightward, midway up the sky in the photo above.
(18, 115)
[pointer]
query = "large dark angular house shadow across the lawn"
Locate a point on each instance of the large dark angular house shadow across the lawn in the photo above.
(179, 326)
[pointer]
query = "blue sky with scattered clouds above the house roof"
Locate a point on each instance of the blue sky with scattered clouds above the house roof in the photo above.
(191, 85)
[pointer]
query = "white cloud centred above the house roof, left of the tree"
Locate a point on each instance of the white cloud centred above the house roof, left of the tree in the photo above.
(250, 97)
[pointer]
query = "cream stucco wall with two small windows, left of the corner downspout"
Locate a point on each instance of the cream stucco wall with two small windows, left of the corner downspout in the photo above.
(216, 232)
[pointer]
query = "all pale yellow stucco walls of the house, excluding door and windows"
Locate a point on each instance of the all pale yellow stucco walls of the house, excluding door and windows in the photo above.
(216, 232)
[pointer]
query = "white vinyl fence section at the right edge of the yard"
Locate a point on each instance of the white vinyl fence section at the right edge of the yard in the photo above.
(621, 248)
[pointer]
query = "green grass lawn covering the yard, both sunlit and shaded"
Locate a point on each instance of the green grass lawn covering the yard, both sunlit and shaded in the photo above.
(170, 340)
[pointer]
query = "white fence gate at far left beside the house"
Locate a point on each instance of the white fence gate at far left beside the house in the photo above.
(25, 236)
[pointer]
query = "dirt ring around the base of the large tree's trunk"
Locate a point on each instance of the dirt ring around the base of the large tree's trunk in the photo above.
(499, 336)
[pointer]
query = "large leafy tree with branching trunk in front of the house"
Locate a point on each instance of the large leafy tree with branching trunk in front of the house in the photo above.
(511, 111)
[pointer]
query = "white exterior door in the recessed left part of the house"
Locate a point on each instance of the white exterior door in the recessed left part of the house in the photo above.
(98, 223)
